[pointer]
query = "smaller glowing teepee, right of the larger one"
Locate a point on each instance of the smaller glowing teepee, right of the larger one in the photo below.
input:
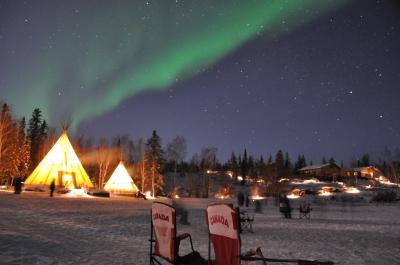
(120, 181)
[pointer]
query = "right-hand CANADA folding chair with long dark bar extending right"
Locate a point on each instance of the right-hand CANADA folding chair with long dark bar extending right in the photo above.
(223, 228)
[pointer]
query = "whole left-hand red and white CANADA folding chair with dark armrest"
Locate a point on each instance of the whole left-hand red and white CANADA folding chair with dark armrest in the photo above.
(164, 243)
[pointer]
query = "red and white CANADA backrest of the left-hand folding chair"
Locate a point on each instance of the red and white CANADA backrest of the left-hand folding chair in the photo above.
(163, 220)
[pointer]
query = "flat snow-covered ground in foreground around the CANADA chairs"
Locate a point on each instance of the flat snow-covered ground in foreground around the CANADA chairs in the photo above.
(36, 229)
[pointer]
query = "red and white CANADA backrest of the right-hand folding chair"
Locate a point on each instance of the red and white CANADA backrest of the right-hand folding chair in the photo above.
(223, 228)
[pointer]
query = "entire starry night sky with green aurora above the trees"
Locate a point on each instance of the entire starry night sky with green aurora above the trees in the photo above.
(315, 77)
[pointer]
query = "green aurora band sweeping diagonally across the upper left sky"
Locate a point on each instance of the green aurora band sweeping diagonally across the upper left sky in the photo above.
(78, 63)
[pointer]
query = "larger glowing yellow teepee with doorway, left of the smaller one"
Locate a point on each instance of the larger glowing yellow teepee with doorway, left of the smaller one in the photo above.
(62, 165)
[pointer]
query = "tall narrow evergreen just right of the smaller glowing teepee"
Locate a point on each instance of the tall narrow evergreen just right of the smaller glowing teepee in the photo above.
(155, 158)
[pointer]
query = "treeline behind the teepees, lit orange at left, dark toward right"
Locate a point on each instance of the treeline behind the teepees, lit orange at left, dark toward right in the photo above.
(152, 164)
